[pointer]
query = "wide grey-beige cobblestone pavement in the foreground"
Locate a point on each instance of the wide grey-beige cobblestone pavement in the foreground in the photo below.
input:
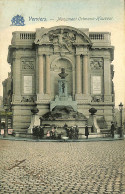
(62, 167)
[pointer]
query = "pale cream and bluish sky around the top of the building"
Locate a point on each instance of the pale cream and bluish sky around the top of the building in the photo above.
(76, 13)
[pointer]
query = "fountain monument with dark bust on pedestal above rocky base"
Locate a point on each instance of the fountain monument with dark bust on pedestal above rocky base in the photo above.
(63, 110)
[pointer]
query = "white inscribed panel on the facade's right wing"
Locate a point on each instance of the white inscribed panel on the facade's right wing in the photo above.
(96, 84)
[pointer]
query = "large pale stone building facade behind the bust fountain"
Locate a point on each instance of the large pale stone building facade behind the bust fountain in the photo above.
(36, 59)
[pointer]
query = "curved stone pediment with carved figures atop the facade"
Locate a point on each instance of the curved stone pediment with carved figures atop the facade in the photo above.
(63, 37)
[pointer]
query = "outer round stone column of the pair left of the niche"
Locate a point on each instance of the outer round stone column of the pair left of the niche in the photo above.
(41, 74)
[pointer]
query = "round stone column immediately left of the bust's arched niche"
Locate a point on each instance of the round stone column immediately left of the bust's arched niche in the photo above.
(47, 74)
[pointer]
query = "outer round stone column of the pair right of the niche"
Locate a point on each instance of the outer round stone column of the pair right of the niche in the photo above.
(85, 74)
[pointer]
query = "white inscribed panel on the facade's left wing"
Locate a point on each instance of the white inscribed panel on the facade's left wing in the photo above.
(27, 84)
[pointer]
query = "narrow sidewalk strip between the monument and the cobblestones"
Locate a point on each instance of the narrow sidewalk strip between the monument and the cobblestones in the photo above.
(12, 138)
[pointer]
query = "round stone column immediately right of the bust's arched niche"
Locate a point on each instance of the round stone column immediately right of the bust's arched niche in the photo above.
(78, 75)
